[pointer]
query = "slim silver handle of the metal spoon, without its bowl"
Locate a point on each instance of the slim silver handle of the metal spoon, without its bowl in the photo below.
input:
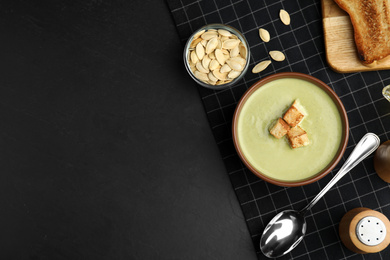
(367, 145)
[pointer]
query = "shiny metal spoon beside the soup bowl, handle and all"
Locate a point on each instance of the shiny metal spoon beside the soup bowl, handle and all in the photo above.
(284, 232)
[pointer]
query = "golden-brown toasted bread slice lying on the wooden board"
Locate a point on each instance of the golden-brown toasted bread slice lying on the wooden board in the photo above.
(371, 24)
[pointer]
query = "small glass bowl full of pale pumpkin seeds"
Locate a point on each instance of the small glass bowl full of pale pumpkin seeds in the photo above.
(216, 56)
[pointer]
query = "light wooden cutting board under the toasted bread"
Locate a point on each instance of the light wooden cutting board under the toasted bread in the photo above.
(341, 52)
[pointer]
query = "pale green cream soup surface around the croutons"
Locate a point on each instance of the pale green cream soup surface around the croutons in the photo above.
(274, 157)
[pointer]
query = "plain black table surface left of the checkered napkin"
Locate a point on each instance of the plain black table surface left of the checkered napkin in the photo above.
(106, 151)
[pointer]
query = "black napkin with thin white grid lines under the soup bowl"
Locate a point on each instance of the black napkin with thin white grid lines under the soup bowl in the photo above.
(303, 43)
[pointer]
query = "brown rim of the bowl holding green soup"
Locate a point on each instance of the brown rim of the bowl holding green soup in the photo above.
(318, 83)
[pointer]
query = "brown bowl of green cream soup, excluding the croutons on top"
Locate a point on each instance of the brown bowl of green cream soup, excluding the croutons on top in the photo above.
(274, 160)
